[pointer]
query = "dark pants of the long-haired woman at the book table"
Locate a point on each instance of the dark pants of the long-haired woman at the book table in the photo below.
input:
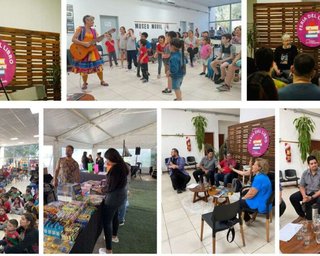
(110, 220)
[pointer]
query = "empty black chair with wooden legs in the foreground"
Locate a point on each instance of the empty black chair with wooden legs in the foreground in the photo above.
(222, 218)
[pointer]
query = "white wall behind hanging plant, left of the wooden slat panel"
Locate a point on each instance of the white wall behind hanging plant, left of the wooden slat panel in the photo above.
(179, 122)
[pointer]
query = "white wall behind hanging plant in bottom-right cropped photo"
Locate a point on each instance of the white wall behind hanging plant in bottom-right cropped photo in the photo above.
(288, 133)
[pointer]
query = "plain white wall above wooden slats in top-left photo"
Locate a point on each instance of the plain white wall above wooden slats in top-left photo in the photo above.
(39, 15)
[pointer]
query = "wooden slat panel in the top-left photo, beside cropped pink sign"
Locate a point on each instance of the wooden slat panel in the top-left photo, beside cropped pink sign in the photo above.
(36, 52)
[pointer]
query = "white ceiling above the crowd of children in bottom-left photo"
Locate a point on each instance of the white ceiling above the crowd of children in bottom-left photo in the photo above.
(18, 123)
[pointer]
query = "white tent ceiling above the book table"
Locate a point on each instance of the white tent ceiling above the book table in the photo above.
(107, 127)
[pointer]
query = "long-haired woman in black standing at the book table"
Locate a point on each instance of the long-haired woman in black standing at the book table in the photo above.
(116, 193)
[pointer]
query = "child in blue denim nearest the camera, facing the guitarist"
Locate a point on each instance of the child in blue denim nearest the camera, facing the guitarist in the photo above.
(177, 67)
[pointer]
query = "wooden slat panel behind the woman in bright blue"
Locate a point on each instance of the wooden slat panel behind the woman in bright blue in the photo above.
(238, 137)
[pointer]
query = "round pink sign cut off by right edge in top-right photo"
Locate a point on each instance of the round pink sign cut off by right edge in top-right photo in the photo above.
(308, 29)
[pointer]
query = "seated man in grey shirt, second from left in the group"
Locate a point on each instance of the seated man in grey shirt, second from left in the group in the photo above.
(206, 167)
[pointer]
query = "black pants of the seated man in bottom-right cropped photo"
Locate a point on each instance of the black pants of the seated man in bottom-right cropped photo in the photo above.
(295, 200)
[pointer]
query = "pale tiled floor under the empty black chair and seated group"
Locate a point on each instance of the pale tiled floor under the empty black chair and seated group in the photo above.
(181, 221)
